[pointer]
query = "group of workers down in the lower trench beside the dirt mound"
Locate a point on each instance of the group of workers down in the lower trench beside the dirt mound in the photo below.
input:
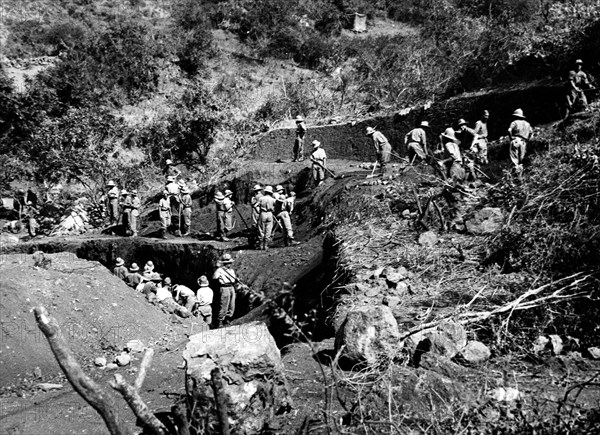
(180, 299)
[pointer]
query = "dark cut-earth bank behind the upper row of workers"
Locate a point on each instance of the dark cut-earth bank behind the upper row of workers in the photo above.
(348, 141)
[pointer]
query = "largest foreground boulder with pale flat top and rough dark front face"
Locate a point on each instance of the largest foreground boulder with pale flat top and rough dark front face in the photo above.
(254, 381)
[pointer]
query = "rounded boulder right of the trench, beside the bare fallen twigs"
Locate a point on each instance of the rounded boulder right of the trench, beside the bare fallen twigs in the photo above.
(369, 335)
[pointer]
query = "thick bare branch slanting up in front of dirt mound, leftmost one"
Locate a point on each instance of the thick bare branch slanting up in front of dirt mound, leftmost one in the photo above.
(91, 392)
